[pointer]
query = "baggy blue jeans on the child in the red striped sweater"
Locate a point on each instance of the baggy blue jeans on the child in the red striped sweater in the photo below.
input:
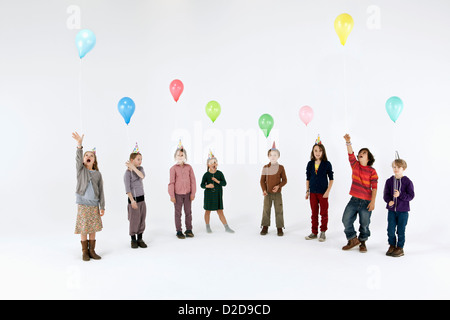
(354, 207)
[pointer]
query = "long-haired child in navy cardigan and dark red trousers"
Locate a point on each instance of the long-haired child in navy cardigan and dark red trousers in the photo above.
(318, 171)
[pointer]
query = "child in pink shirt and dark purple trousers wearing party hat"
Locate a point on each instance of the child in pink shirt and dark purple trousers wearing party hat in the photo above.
(182, 188)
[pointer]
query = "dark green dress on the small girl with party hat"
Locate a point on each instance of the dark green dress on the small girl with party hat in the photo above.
(213, 196)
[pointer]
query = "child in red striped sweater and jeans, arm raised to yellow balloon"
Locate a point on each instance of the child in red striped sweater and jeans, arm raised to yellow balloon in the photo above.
(363, 192)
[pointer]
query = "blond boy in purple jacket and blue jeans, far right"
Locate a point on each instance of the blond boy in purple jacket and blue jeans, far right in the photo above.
(398, 192)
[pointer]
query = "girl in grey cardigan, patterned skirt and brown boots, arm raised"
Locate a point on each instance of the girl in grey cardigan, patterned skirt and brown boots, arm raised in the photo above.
(89, 197)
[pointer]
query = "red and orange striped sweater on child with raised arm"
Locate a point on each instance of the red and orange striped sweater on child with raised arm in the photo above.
(364, 179)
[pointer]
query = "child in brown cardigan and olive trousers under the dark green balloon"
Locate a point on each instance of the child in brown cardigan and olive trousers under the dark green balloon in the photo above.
(273, 178)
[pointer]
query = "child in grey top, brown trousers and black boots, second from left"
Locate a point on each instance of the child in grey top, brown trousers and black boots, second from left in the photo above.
(134, 188)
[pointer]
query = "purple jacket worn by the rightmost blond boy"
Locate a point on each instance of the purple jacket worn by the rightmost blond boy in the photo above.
(406, 188)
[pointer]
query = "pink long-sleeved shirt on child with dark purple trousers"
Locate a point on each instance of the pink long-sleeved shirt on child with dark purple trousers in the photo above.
(182, 180)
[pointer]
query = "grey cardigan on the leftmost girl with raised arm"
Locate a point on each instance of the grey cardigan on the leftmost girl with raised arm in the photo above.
(83, 177)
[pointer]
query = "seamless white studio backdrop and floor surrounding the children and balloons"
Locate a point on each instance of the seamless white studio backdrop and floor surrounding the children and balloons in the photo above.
(253, 57)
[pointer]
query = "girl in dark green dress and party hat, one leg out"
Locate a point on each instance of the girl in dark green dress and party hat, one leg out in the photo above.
(213, 181)
